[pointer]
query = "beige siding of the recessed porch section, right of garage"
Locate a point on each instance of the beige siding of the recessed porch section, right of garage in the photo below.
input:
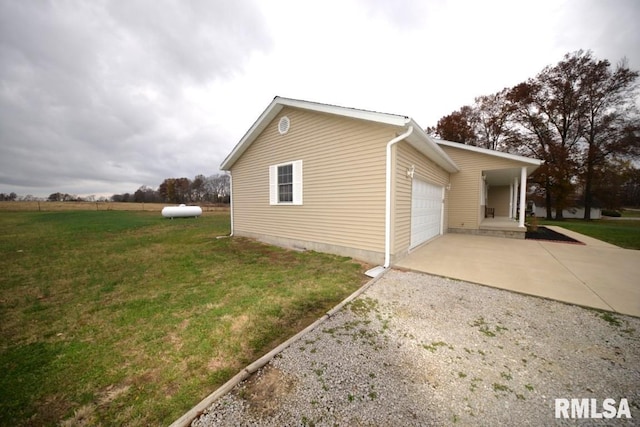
(465, 211)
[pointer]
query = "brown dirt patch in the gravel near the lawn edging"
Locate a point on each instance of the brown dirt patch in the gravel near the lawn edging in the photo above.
(265, 390)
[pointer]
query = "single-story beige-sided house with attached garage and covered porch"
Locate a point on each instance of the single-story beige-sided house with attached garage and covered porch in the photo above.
(364, 184)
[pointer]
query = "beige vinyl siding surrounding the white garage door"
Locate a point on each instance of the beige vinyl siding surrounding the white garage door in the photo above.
(404, 156)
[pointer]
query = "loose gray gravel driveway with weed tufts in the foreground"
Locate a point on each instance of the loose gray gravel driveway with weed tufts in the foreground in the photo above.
(415, 349)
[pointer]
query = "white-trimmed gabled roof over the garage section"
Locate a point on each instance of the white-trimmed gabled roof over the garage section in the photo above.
(418, 138)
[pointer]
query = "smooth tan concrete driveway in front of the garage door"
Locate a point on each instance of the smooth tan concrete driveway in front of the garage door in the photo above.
(596, 274)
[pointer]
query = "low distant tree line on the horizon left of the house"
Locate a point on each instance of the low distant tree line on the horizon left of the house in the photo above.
(202, 189)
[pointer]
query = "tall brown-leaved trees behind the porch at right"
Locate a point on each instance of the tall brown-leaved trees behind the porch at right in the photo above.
(580, 116)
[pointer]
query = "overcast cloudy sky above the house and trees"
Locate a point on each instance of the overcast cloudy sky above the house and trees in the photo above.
(103, 96)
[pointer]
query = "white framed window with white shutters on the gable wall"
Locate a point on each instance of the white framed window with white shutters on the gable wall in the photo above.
(285, 183)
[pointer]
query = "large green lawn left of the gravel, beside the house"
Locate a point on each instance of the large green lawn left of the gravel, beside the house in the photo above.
(118, 318)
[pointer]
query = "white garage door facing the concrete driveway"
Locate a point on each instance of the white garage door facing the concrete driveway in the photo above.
(426, 211)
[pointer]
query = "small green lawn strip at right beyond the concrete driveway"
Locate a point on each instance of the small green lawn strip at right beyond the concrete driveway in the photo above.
(623, 233)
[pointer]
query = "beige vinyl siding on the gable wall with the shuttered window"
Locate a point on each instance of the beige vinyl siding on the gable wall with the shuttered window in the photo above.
(343, 181)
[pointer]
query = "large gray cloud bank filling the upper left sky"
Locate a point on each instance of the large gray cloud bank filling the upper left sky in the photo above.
(91, 93)
